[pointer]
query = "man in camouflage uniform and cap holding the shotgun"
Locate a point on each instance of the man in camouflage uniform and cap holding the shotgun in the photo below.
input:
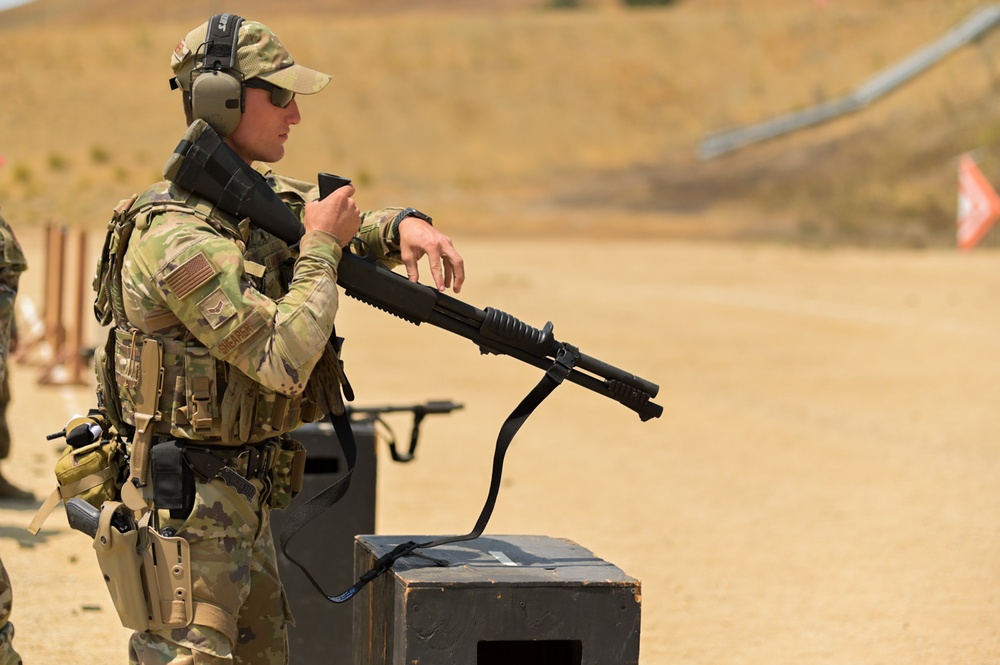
(244, 322)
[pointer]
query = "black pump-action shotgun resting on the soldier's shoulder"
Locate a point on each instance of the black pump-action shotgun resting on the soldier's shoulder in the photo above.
(203, 164)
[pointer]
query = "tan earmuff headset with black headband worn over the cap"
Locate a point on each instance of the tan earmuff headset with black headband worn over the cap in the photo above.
(217, 85)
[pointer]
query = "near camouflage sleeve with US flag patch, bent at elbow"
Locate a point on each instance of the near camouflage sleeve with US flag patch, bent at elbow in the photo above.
(182, 265)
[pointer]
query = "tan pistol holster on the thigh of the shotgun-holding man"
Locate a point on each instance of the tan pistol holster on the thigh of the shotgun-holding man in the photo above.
(121, 564)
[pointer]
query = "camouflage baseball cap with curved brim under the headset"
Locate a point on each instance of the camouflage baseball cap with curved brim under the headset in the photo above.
(259, 54)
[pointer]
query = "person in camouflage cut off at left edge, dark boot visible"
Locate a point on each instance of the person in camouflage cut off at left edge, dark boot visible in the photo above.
(12, 264)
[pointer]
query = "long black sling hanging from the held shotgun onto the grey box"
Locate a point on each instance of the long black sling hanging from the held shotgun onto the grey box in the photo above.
(566, 359)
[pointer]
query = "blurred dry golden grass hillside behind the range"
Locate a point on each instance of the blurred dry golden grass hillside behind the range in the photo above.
(525, 116)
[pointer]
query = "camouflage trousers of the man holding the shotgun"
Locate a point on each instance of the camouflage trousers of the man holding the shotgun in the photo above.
(234, 566)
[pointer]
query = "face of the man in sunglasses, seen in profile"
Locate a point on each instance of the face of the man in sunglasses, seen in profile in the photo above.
(264, 128)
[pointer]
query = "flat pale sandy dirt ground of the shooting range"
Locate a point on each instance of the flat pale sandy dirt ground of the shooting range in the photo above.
(822, 487)
